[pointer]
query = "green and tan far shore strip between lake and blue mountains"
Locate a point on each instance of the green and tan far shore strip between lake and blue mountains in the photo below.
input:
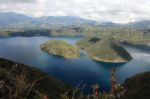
(118, 33)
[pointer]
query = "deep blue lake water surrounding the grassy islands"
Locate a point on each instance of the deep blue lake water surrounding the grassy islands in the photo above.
(26, 50)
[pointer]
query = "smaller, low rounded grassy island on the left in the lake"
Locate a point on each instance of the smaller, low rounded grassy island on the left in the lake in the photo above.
(61, 48)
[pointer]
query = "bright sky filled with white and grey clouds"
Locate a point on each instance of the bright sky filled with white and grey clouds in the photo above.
(117, 11)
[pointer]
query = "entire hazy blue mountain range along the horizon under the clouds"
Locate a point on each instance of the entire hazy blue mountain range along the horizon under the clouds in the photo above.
(19, 20)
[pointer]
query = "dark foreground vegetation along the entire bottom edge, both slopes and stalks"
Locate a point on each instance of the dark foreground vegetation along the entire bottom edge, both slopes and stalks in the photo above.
(19, 81)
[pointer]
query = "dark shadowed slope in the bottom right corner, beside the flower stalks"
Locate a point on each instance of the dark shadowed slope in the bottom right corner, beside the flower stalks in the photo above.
(137, 86)
